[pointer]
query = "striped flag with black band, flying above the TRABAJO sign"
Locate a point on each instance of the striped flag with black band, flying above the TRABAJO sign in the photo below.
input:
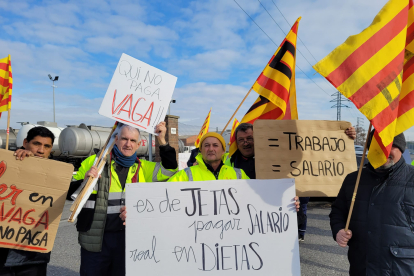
(276, 84)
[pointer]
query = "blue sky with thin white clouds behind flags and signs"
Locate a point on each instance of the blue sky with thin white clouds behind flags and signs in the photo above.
(212, 46)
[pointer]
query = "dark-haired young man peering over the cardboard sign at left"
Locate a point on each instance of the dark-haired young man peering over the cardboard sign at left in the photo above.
(39, 143)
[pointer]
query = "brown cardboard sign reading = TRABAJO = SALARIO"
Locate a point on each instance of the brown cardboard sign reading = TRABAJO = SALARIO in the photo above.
(318, 154)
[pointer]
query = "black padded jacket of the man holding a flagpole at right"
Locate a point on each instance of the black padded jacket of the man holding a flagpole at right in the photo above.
(382, 221)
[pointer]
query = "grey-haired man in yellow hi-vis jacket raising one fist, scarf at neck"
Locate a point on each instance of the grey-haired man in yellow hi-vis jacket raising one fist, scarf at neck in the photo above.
(100, 222)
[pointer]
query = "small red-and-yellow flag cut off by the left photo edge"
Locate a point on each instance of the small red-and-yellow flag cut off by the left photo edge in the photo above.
(6, 84)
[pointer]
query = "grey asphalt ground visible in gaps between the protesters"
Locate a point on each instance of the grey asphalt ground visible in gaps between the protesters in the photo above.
(319, 254)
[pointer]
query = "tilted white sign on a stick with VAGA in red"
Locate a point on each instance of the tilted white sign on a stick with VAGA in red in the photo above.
(138, 94)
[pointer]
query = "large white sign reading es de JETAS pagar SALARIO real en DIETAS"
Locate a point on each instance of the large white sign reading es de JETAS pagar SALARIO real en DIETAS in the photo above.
(222, 227)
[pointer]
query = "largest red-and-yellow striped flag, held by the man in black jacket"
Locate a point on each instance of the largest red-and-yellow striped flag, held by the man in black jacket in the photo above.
(374, 69)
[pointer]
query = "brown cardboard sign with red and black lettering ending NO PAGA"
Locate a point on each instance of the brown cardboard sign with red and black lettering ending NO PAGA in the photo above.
(32, 196)
